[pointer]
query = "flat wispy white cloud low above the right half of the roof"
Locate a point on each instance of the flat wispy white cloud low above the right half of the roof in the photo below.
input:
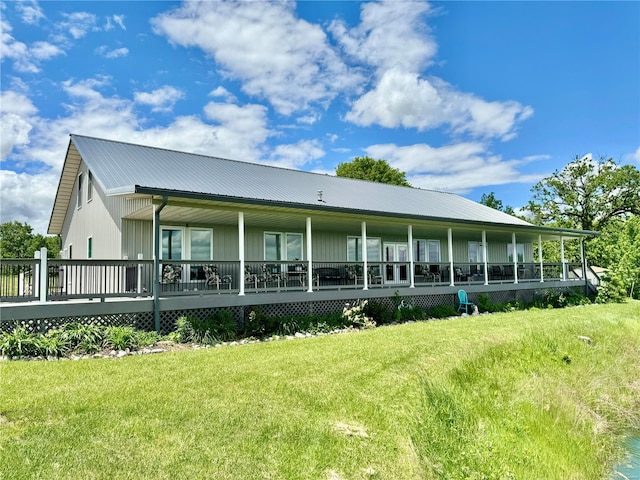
(457, 168)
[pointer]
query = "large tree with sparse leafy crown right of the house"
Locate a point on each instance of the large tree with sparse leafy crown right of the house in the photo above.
(587, 194)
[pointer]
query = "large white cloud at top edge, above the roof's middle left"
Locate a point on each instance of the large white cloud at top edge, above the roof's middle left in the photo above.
(275, 55)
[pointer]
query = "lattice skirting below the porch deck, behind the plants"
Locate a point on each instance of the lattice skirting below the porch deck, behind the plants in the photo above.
(138, 312)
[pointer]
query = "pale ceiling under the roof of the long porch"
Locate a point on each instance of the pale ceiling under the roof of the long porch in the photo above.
(205, 213)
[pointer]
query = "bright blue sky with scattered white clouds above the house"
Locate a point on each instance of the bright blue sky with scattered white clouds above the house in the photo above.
(465, 97)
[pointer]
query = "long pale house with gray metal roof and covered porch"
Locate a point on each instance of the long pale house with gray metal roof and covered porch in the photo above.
(244, 231)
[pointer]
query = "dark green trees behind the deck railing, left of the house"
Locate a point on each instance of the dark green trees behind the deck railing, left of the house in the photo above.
(17, 240)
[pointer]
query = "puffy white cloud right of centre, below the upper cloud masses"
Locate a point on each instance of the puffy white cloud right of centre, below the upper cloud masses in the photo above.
(402, 99)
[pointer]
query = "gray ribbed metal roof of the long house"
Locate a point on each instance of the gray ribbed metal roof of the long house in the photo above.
(122, 168)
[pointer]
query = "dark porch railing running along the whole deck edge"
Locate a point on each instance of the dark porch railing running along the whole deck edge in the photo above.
(21, 280)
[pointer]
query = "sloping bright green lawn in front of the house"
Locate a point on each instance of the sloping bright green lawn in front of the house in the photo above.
(514, 395)
